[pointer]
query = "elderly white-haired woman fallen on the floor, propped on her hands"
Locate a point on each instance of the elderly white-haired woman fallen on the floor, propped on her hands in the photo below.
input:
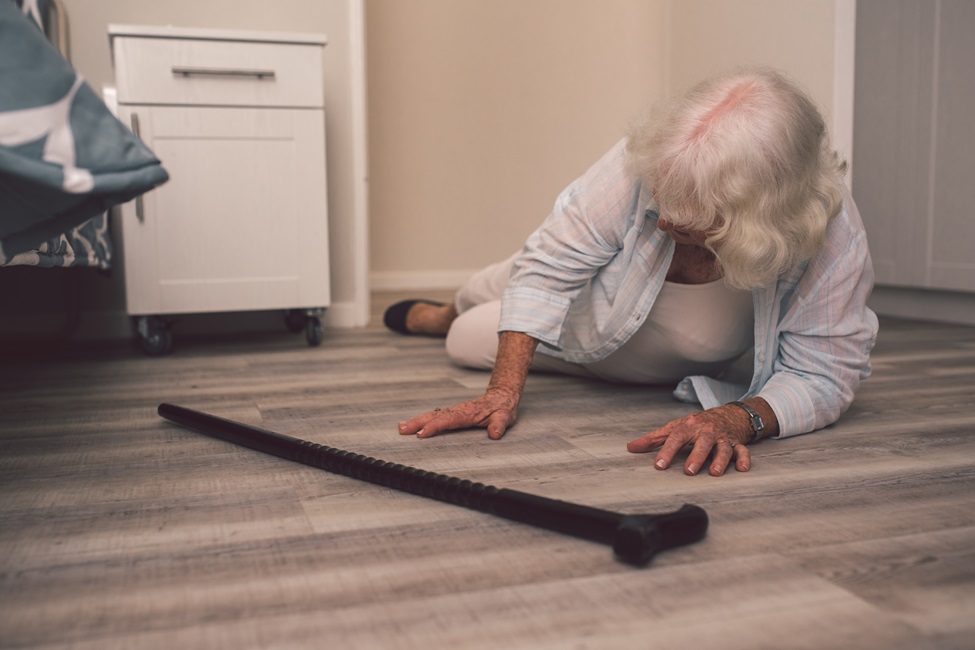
(721, 224)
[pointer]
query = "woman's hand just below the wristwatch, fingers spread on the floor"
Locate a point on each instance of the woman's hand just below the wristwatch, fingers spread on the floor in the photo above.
(720, 433)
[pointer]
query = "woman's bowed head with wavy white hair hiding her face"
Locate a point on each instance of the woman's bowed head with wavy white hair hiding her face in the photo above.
(746, 158)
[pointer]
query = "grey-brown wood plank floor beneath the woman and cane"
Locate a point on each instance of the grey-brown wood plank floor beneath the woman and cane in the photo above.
(121, 530)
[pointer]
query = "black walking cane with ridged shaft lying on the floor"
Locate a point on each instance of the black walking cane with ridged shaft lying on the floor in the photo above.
(634, 538)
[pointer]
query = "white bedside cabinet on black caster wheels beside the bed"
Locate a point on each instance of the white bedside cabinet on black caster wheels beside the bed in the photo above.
(237, 119)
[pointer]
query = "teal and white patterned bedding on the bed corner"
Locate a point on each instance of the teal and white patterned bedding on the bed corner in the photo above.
(64, 158)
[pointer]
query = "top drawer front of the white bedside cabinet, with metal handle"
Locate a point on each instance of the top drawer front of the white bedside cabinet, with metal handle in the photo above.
(217, 73)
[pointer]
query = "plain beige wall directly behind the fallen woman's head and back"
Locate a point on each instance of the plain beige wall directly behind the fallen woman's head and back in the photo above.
(481, 112)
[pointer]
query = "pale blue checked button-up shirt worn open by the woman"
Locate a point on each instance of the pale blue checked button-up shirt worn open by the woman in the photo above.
(587, 278)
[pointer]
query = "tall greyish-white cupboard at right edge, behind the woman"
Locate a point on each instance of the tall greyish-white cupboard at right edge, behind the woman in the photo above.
(914, 141)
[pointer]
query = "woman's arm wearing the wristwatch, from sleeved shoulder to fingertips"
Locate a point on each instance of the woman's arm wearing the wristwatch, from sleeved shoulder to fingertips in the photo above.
(823, 341)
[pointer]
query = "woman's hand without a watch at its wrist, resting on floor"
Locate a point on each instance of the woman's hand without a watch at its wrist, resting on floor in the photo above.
(495, 411)
